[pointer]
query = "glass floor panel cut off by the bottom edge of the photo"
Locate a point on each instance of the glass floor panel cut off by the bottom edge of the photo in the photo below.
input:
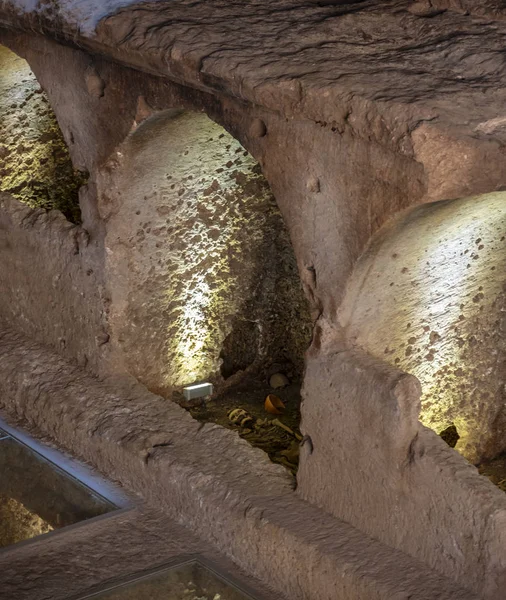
(192, 580)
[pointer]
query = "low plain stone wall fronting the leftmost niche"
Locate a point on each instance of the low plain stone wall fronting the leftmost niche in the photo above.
(49, 283)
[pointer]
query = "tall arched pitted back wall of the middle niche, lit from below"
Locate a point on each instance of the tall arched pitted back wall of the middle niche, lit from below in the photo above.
(202, 279)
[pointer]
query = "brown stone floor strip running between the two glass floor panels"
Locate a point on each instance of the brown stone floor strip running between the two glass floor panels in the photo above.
(105, 551)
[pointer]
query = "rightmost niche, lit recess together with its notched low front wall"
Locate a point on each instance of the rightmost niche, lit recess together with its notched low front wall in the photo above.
(421, 348)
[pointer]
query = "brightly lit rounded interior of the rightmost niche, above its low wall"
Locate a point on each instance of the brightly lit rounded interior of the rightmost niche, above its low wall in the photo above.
(428, 297)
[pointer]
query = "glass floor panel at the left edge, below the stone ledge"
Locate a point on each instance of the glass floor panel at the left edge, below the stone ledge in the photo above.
(37, 496)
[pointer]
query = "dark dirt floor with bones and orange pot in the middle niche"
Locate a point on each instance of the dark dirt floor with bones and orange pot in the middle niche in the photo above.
(276, 434)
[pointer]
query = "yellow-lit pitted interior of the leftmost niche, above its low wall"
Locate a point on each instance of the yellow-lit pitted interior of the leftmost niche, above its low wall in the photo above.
(35, 165)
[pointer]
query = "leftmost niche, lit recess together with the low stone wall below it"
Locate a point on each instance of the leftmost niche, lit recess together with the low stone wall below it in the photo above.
(49, 278)
